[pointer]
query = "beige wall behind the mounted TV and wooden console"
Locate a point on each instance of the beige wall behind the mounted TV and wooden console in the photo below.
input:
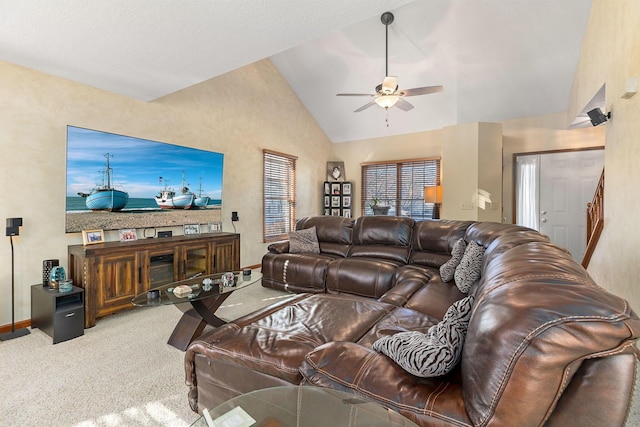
(238, 114)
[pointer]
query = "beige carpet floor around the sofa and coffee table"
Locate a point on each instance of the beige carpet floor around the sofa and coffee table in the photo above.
(119, 373)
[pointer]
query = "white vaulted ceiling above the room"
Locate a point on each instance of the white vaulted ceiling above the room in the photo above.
(497, 59)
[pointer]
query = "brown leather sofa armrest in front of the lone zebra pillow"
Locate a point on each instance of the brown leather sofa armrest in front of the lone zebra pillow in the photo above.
(356, 369)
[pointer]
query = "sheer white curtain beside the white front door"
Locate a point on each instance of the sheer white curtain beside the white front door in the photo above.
(527, 191)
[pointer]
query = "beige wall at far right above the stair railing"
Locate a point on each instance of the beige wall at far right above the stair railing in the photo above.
(610, 56)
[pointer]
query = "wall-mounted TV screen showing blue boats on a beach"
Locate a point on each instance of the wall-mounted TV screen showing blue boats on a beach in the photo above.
(117, 182)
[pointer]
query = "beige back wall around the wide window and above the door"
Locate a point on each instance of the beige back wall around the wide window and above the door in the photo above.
(471, 152)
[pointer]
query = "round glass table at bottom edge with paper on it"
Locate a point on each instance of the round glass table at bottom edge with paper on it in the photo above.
(301, 406)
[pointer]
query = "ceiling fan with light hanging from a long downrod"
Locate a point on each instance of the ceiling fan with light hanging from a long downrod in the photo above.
(387, 94)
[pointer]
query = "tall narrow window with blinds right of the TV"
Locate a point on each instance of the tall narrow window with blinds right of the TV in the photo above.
(279, 195)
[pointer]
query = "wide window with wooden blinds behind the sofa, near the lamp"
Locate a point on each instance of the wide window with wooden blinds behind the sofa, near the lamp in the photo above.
(399, 185)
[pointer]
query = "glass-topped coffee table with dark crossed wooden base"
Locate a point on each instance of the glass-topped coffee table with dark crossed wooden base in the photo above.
(202, 296)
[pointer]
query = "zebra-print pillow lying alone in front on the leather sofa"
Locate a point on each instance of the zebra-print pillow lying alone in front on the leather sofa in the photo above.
(436, 352)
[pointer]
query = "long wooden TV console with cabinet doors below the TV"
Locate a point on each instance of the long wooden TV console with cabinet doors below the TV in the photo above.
(113, 273)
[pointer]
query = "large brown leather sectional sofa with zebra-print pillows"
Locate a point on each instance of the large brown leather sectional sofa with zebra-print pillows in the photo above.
(545, 344)
